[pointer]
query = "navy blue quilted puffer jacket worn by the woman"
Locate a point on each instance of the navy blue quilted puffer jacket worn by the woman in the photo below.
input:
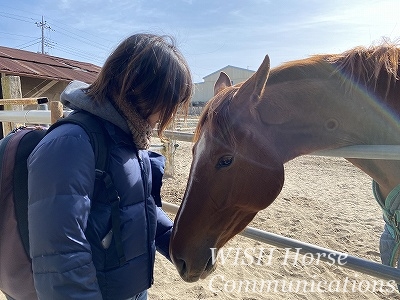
(66, 225)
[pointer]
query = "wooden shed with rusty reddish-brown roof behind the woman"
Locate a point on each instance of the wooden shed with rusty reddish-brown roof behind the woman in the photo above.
(27, 74)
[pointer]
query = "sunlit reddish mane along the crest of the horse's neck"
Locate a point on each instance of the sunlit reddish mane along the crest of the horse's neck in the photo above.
(367, 66)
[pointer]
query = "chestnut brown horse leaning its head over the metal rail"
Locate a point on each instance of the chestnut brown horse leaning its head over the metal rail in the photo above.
(248, 131)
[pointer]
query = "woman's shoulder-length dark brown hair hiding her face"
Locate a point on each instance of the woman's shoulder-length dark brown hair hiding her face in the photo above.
(150, 74)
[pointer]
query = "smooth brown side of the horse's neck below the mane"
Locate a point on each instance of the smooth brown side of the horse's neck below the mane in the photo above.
(307, 116)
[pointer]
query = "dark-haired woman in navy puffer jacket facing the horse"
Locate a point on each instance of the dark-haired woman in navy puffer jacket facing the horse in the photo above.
(142, 83)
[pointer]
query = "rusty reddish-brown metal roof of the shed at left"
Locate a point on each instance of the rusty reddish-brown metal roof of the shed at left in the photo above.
(31, 64)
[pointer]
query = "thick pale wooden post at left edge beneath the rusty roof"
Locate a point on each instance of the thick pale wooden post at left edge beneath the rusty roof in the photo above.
(11, 89)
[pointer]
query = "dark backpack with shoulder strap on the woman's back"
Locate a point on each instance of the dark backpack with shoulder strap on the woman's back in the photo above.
(16, 278)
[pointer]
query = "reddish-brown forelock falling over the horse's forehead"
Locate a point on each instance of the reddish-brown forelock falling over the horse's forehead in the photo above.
(216, 115)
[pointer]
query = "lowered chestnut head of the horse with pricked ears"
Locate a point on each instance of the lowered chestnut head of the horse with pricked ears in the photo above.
(234, 174)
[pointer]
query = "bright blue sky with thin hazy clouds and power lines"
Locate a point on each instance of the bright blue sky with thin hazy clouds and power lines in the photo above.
(211, 34)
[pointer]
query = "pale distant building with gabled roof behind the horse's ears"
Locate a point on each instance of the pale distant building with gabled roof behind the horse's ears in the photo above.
(204, 91)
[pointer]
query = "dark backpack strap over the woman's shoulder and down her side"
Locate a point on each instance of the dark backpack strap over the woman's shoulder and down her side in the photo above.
(98, 138)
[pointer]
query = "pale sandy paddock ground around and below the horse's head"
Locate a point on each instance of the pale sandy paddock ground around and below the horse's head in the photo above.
(325, 201)
